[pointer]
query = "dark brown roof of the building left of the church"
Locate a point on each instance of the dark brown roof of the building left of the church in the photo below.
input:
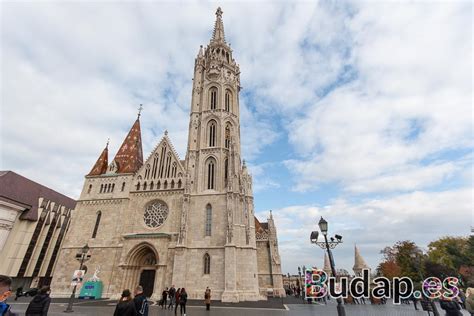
(26, 192)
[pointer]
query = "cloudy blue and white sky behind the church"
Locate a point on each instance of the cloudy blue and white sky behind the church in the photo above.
(360, 112)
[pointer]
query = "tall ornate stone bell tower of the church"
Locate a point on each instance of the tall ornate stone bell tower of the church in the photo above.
(217, 221)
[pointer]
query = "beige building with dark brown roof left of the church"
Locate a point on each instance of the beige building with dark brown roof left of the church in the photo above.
(33, 222)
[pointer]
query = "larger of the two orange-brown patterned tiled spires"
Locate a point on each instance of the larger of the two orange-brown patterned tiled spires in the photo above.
(129, 158)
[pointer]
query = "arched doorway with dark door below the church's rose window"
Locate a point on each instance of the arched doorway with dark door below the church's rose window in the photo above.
(142, 263)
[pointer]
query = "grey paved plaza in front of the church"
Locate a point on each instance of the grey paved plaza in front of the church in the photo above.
(196, 308)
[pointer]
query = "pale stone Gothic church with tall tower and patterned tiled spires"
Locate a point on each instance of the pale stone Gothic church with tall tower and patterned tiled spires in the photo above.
(165, 221)
